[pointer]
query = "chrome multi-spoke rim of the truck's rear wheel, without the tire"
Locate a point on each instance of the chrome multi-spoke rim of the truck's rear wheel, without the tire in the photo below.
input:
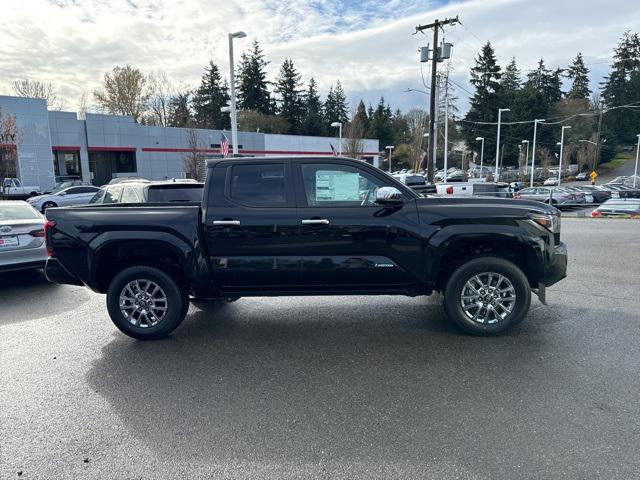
(143, 303)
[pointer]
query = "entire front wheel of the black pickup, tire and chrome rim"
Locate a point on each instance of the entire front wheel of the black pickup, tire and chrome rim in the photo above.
(487, 295)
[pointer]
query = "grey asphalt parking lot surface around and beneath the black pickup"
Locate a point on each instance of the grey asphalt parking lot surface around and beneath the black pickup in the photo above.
(331, 387)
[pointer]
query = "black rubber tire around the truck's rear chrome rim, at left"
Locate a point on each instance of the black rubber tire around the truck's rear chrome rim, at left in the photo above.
(177, 302)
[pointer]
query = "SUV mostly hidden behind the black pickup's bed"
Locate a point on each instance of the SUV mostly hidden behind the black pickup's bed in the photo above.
(149, 192)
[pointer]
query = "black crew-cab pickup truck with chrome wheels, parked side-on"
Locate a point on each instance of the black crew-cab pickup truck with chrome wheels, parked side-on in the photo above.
(282, 226)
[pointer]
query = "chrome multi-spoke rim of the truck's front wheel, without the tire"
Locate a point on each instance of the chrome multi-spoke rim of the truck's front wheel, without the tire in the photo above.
(488, 298)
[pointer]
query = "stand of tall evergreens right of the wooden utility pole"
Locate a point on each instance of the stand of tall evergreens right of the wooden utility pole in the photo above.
(540, 95)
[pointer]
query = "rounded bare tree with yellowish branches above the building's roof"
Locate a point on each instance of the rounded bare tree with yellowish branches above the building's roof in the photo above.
(124, 92)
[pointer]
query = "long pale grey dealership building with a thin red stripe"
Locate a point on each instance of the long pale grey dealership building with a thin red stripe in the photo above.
(55, 144)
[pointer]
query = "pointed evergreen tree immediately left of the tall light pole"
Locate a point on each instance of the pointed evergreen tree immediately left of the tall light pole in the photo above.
(211, 95)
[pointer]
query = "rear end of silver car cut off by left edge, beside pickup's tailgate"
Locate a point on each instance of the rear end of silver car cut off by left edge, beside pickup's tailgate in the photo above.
(22, 244)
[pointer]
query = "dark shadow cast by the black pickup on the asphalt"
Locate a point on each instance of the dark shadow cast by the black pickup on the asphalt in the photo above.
(265, 380)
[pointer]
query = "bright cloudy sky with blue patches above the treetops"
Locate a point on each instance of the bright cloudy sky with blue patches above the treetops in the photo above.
(367, 44)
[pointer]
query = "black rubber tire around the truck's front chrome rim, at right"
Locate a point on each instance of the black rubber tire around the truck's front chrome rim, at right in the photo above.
(456, 283)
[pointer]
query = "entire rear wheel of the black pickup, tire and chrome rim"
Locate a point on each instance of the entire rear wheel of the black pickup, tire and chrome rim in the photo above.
(146, 303)
